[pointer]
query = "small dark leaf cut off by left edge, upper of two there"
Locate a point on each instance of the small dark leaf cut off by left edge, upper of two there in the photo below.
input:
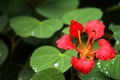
(3, 22)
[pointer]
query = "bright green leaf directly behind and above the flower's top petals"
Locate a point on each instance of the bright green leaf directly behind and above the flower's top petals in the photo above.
(82, 15)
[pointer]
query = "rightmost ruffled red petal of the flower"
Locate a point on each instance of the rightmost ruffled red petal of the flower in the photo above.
(105, 52)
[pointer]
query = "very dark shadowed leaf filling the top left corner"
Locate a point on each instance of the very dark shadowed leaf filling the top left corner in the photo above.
(13, 6)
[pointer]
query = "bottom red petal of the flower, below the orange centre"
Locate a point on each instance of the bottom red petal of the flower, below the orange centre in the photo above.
(82, 65)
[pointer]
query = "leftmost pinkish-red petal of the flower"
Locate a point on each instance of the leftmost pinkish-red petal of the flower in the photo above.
(65, 42)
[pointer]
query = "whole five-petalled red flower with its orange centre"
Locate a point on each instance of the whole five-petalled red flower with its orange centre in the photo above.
(85, 60)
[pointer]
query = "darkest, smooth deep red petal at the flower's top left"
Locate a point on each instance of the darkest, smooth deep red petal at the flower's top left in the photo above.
(74, 27)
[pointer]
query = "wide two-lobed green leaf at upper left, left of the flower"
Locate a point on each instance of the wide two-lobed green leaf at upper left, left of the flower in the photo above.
(26, 26)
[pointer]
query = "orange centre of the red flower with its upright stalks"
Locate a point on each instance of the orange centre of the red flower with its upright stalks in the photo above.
(86, 51)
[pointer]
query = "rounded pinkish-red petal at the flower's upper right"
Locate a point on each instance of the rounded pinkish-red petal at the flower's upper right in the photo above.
(95, 26)
